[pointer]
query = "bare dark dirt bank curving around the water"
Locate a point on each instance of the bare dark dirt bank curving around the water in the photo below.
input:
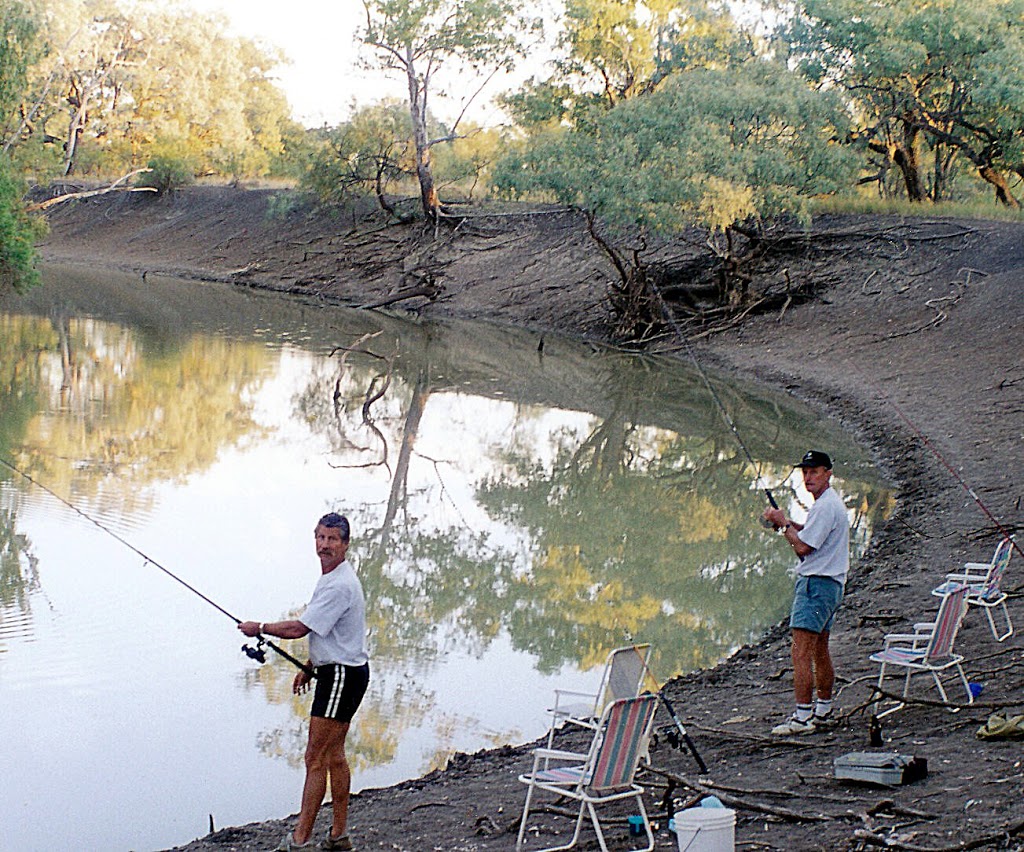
(912, 343)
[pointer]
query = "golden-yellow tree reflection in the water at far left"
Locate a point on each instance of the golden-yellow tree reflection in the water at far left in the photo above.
(92, 403)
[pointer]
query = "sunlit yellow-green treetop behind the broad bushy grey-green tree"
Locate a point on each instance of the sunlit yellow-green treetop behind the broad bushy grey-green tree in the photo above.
(617, 50)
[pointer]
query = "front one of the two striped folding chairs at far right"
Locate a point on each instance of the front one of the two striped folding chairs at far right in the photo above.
(929, 649)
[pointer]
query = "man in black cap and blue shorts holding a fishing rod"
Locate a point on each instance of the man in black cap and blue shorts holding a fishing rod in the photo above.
(823, 545)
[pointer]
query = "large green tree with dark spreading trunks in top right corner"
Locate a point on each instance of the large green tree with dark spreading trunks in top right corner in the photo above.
(927, 76)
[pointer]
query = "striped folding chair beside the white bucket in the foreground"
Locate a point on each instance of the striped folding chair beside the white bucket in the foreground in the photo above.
(604, 776)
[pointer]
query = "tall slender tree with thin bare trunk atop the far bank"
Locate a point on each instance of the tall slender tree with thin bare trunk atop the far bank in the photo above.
(417, 38)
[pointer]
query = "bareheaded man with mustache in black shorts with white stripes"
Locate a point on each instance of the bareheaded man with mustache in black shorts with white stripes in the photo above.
(335, 621)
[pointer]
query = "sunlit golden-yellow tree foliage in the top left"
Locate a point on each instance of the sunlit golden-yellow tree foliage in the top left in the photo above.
(122, 78)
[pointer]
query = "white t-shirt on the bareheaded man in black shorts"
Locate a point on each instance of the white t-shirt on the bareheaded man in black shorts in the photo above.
(336, 618)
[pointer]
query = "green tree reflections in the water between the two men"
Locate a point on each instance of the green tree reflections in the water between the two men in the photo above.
(631, 530)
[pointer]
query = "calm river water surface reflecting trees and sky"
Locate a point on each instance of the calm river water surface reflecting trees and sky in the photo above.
(516, 516)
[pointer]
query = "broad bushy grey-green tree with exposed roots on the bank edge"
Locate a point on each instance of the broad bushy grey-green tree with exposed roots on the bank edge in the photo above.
(723, 150)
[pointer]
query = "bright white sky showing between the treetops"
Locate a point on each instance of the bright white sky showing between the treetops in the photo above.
(325, 80)
